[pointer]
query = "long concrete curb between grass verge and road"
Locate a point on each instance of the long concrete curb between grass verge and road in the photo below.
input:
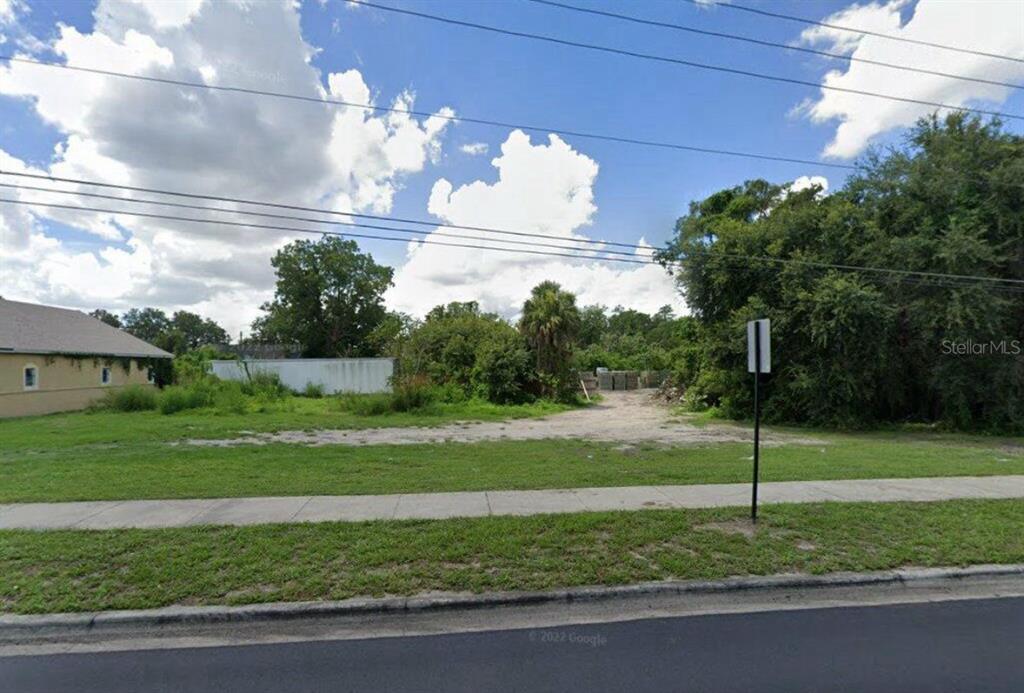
(186, 616)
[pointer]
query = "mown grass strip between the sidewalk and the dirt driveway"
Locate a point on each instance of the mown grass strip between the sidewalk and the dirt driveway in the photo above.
(54, 471)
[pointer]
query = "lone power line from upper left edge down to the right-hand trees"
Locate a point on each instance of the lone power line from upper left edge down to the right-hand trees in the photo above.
(566, 133)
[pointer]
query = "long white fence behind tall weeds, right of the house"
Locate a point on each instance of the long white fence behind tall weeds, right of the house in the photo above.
(334, 375)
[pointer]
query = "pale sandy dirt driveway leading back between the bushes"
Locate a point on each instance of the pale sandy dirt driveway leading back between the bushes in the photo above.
(632, 417)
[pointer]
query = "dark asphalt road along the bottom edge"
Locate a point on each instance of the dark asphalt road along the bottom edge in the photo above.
(975, 646)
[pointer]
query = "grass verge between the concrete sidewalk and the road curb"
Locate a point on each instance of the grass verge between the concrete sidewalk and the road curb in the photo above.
(123, 570)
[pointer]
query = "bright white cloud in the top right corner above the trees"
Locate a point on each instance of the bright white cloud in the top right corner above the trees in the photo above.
(994, 26)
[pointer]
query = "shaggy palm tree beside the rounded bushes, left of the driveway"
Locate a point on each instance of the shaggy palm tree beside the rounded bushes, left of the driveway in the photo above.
(550, 323)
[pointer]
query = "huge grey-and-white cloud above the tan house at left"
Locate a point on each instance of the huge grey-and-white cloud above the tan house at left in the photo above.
(175, 139)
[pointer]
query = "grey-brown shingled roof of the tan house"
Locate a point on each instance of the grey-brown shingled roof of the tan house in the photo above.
(28, 328)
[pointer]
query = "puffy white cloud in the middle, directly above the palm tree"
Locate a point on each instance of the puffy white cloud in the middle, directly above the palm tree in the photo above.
(541, 189)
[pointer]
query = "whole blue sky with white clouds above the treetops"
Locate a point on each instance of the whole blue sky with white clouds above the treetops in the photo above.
(316, 154)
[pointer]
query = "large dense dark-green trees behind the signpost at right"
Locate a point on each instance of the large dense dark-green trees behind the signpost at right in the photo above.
(862, 349)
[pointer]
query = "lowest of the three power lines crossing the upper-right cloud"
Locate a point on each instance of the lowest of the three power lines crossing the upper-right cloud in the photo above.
(680, 62)
